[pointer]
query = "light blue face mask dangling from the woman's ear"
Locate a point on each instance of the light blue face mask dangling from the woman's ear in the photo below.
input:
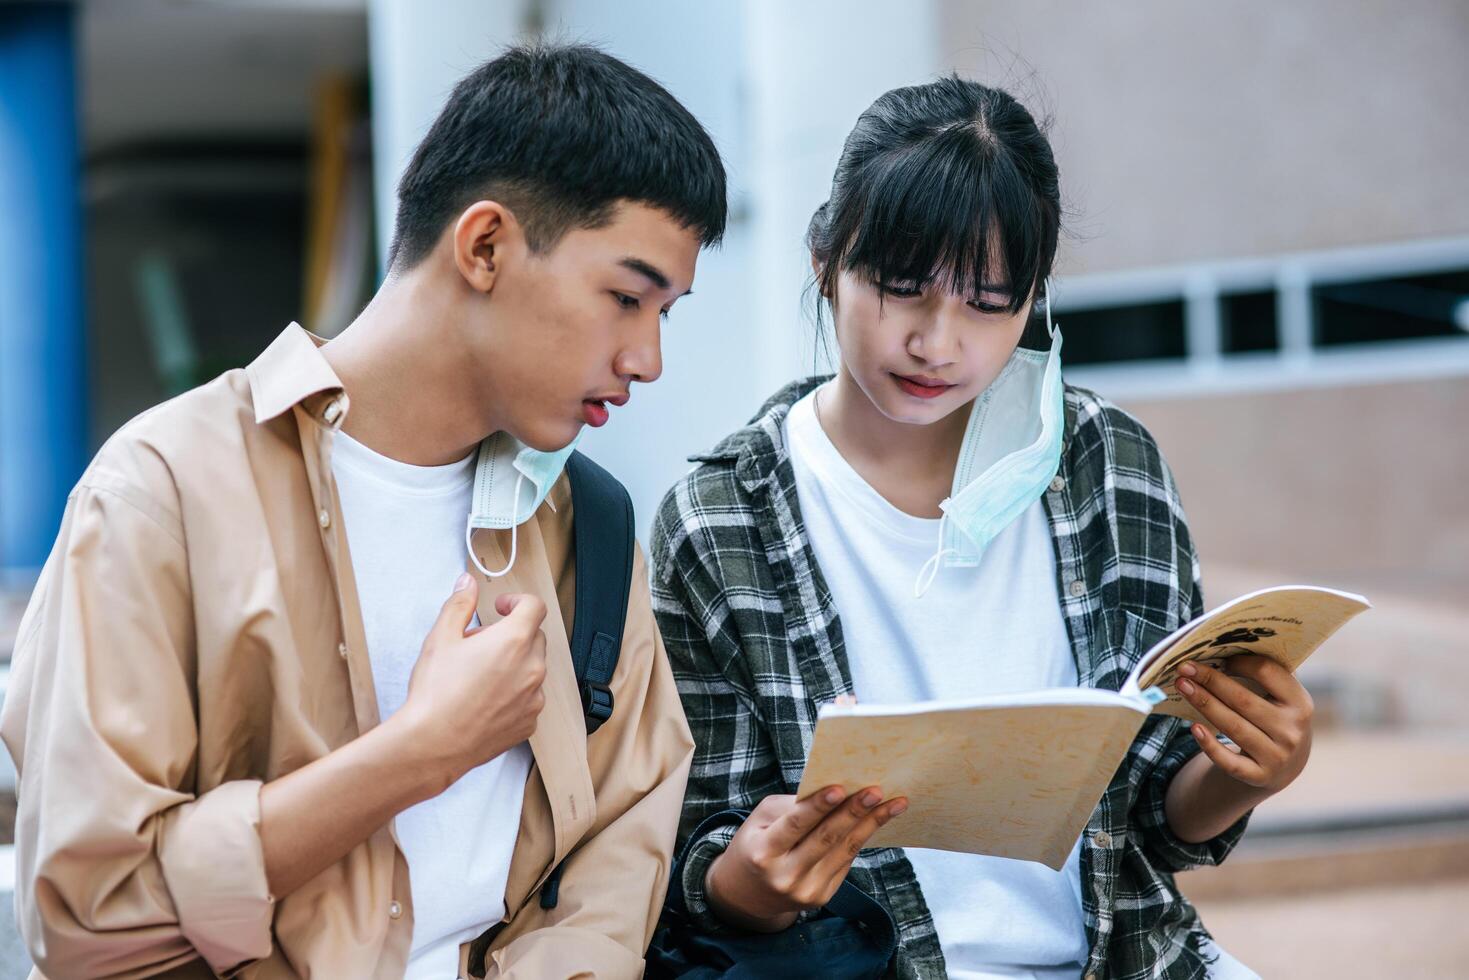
(995, 481)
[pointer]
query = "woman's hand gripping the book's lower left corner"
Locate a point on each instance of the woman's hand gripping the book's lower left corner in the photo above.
(791, 856)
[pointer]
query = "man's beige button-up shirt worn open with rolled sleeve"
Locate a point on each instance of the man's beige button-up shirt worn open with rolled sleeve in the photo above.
(196, 633)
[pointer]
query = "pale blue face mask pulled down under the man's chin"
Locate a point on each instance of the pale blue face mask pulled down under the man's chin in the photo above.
(502, 502)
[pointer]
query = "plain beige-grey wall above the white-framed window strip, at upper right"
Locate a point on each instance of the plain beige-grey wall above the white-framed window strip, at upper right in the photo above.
(1197, 131)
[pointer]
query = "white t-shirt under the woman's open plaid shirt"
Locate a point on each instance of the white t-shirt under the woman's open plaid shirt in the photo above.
(982, 631)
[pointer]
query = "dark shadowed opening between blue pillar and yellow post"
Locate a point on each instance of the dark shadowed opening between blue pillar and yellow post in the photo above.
(190, 275)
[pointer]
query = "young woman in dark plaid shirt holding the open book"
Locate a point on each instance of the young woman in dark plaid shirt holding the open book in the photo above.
(945, 518)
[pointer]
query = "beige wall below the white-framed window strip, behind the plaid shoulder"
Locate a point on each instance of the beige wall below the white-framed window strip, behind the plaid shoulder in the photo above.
(1362, 487)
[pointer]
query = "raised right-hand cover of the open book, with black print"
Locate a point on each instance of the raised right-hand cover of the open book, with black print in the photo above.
(1286, 624)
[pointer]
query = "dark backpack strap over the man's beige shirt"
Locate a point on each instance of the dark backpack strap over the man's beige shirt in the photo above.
(603, 533)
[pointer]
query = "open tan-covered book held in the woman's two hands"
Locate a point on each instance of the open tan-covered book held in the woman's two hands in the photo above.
(1019, 775)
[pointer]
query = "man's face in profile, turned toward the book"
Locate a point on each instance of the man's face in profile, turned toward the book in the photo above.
(580, 323)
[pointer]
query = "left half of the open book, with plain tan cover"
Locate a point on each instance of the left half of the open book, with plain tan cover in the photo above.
(1016, 781)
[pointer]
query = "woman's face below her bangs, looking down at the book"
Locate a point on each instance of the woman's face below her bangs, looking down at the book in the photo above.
(920, 353)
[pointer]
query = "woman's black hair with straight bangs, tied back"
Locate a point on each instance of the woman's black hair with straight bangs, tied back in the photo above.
(942, 183)
